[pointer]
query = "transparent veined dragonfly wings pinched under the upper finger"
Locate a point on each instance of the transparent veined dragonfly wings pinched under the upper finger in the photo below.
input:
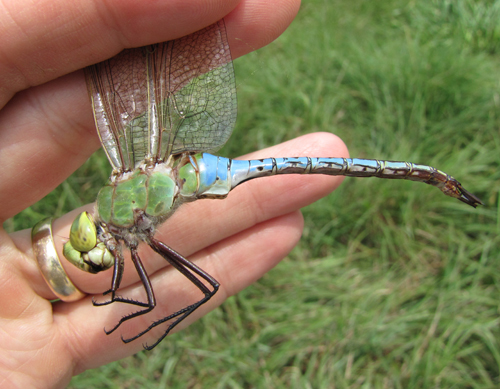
(165, 99)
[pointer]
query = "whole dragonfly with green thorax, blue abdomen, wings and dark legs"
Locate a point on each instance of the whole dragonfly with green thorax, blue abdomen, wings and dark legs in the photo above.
(159, 111)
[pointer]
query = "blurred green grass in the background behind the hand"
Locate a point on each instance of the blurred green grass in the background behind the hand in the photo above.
(398, 288)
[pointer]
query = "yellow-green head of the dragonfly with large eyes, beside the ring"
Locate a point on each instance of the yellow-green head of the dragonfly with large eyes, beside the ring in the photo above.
(84, 249)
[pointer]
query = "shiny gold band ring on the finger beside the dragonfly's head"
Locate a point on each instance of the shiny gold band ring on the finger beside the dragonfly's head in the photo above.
(49, 263)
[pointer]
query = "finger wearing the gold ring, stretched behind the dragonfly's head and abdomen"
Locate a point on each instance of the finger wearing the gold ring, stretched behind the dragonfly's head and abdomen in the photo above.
(202, 223)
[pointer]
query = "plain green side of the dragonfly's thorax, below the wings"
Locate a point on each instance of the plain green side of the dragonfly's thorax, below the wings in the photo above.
(150, 192)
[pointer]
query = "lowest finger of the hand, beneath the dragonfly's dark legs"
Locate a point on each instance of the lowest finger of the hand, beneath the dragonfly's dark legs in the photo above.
(235, 262)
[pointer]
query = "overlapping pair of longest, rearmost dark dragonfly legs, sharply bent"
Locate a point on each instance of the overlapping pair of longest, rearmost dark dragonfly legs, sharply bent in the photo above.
(194, 274)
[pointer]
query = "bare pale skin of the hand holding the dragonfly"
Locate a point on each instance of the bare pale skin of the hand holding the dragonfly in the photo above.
(47, 131)
